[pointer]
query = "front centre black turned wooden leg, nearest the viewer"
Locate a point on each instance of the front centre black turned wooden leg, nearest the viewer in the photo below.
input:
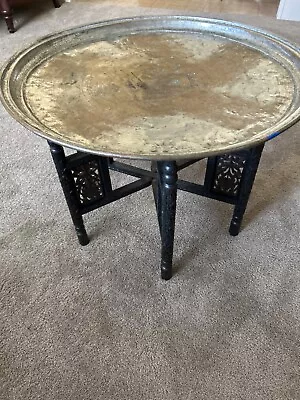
(166, 210)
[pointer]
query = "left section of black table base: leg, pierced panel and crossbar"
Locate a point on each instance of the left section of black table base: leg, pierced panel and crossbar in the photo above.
(86, 183)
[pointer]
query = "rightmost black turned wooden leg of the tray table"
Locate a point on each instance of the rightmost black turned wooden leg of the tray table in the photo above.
(246, 184)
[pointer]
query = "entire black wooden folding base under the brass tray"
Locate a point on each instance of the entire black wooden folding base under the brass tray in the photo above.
(86, 183)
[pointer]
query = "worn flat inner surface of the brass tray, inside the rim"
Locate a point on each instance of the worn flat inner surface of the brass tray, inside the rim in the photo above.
(159, 93)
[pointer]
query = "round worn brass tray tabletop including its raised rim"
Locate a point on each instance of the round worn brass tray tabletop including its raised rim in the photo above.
(163, 87)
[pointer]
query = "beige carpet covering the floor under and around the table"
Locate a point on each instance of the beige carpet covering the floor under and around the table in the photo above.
(97, 322)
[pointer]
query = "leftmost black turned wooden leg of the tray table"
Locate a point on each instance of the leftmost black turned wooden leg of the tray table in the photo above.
(67, 183)
